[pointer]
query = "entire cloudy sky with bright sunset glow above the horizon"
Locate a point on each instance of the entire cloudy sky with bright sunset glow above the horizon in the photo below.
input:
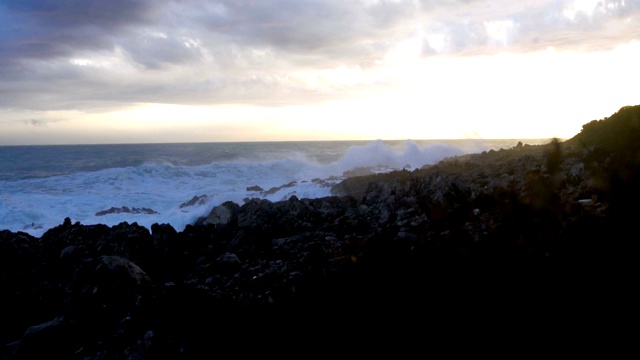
(154, 71)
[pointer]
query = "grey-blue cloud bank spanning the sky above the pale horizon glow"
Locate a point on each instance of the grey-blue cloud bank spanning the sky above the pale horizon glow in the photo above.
(80, 54)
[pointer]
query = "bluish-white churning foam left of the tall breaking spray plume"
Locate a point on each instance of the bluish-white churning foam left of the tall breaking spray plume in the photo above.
(36, 205)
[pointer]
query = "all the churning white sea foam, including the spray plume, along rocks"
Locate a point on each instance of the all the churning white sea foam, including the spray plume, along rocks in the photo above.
(35, 205)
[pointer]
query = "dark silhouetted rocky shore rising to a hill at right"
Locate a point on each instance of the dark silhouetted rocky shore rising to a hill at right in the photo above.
(530, 231)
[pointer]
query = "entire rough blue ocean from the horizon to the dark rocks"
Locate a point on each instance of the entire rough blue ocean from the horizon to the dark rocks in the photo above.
(178, 183)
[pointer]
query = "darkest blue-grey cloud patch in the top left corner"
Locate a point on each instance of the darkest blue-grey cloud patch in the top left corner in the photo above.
(50, 28)
